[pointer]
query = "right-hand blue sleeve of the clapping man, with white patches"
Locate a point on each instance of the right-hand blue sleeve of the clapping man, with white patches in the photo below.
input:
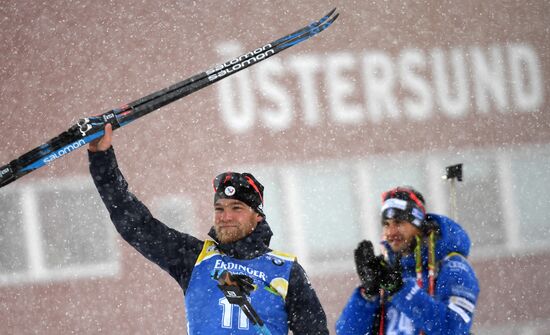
(451, 310)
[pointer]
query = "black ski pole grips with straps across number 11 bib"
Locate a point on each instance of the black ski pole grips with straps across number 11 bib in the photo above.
(236, 289)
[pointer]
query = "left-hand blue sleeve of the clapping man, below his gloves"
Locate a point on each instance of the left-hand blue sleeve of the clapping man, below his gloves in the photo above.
(359, 315)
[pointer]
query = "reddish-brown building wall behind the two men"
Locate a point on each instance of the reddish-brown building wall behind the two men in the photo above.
(62, 61)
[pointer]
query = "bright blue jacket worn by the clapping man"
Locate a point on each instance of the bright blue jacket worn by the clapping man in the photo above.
(411, 309)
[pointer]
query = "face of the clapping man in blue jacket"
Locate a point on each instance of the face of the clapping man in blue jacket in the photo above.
(399, 234)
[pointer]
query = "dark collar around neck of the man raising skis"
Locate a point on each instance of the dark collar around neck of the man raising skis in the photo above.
(251, 246)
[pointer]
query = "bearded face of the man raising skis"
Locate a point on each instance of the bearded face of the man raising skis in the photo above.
(233, 220)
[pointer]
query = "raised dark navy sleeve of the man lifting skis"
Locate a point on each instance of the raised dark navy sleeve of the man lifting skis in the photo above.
(170, 249)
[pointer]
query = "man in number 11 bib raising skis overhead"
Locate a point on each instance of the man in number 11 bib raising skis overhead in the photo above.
(233, 283)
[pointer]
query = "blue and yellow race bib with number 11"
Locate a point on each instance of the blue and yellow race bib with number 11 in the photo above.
(270, 273)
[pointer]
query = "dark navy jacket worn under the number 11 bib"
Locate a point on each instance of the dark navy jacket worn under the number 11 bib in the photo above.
(177, 252)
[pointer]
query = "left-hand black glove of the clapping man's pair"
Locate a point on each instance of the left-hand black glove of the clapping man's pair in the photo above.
(369, 268)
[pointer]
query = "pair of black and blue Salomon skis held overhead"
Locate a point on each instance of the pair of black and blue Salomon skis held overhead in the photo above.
(91, 128)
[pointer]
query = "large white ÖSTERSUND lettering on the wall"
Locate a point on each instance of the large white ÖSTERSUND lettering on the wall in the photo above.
(375, 87)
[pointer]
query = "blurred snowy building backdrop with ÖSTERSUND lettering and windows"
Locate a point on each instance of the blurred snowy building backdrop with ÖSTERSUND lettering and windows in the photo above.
(389, 95)
